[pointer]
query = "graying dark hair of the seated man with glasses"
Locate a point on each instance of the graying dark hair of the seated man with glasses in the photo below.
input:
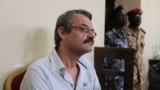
(66, 20)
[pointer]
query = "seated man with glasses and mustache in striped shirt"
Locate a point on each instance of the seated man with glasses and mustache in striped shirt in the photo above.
(66, 68)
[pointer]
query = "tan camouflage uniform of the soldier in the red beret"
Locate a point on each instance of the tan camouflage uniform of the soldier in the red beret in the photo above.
(136, 41)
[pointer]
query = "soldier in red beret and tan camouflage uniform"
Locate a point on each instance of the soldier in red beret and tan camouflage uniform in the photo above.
(135, 35)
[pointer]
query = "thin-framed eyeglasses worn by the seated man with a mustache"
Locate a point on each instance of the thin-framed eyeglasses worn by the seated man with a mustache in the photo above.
(85, 29)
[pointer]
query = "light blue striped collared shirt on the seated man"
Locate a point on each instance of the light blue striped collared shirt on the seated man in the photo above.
(49, 73)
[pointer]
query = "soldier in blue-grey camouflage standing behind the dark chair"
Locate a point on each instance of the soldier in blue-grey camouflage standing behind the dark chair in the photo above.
(116, 38)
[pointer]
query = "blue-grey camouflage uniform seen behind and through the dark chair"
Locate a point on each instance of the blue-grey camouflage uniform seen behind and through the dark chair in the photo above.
(115, 39)
